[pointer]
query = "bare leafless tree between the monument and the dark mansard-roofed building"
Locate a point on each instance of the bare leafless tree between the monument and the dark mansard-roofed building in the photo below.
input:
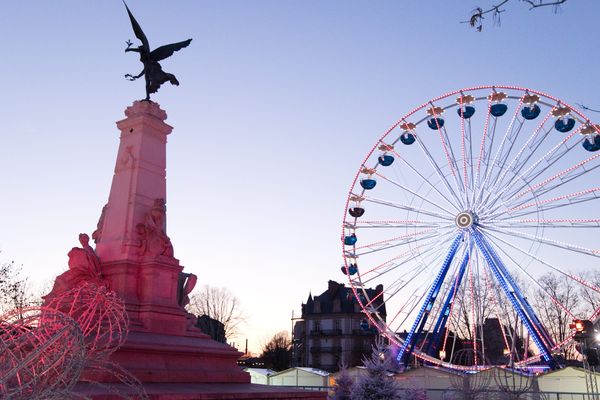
(220, 304)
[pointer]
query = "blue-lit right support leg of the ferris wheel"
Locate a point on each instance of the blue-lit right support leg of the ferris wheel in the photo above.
(495, 266)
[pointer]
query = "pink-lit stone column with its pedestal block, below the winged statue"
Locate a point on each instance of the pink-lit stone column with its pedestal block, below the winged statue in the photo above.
(135, 252)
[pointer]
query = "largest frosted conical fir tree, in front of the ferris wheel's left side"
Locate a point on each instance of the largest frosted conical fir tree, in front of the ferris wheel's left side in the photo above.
(377, 383)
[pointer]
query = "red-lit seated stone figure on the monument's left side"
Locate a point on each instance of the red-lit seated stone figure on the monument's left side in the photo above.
(84, 266)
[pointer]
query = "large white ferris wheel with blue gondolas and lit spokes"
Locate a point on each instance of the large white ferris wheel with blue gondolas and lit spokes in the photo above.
(462, 213)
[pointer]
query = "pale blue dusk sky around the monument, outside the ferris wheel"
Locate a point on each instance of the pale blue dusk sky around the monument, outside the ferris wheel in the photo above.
(278, 105)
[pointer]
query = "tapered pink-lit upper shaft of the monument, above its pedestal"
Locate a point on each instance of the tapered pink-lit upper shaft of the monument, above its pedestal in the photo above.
(139, 181)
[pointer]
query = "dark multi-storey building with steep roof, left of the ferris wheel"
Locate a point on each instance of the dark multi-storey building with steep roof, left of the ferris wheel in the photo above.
(333, 329)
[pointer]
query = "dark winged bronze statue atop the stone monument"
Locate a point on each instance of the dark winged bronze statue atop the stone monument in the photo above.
(152, 71)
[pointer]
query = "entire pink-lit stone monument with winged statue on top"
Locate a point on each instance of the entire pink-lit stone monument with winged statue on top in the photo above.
(135, 258)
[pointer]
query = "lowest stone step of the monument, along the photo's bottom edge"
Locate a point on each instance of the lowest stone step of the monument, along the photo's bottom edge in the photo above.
(215, 391)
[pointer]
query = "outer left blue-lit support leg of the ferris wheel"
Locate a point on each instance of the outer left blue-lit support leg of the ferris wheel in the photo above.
(419, 323)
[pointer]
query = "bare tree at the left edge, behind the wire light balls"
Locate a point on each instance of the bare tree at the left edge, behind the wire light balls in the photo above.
(13, 288)
